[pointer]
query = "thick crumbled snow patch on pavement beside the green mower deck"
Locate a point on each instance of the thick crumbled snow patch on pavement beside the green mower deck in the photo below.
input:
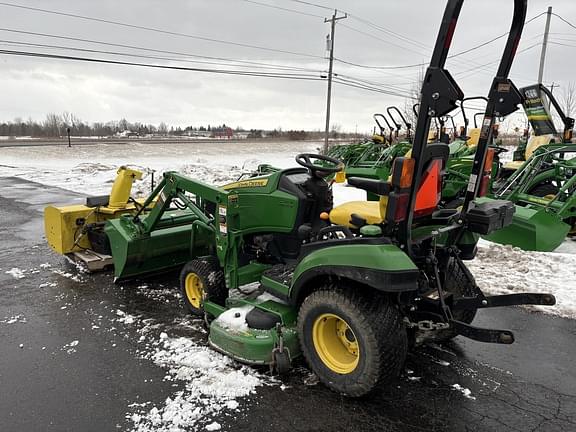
(213, 382)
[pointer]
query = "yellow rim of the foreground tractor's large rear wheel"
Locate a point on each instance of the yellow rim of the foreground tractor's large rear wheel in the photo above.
(335, 343)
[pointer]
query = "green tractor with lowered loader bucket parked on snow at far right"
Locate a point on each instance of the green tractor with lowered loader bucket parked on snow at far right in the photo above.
(542, 186)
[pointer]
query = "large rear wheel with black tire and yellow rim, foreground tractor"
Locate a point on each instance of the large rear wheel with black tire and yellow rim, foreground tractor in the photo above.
(352, 342)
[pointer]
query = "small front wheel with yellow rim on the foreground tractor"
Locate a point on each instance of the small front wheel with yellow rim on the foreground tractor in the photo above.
(201, 280)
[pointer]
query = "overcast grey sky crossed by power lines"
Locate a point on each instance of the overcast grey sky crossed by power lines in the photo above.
(402, 34)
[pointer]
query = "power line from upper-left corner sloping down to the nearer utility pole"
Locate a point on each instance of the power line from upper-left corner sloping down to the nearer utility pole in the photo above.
(157, 30)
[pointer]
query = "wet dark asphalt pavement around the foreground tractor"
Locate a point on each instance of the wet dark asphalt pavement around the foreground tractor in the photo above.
(50, 383)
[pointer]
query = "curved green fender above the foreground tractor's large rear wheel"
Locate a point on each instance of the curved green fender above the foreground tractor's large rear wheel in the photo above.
(384, 267)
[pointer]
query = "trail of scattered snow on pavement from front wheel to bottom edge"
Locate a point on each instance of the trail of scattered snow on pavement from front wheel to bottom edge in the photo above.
(209, 383)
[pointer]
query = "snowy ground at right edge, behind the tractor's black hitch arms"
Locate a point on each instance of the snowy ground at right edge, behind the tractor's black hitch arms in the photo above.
(506, 270)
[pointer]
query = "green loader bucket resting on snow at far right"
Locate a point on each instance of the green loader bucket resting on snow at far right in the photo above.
(532, 230)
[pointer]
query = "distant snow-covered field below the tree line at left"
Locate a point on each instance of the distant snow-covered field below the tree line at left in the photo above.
(91, 169)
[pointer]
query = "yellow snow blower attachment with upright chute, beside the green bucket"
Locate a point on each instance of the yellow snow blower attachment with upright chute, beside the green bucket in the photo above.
(63, 226)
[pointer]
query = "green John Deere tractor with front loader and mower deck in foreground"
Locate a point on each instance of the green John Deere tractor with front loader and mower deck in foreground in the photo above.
(350, 288)
